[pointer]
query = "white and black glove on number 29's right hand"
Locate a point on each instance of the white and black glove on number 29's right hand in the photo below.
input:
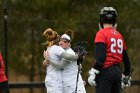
(126, 81)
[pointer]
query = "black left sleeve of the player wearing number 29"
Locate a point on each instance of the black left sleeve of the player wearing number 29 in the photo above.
(100, 55)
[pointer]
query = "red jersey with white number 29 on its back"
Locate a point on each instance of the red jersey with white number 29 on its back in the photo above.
(114, 45)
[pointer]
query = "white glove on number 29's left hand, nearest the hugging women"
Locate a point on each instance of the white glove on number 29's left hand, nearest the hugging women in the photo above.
(92, 75)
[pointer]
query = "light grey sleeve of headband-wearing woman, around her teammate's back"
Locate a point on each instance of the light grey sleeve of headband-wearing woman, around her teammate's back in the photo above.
(58, 65)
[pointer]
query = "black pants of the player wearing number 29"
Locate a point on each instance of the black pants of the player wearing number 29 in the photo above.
(109, 80)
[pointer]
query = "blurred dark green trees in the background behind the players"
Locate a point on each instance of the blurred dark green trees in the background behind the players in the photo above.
(27, 19)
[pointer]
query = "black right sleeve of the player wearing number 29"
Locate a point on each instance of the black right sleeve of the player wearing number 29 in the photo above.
(127, 65)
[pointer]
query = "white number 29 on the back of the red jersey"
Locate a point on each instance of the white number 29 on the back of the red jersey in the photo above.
(116, 46)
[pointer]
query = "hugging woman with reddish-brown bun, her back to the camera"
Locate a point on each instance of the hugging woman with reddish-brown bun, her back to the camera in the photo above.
(53, 80)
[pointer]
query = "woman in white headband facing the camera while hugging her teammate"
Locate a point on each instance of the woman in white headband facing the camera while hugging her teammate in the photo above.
(68, 68)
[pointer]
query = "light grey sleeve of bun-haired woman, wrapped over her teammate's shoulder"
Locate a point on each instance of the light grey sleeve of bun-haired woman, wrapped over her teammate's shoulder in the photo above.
(68, 56)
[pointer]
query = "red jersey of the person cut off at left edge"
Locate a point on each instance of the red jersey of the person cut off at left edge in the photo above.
(2, 74)
